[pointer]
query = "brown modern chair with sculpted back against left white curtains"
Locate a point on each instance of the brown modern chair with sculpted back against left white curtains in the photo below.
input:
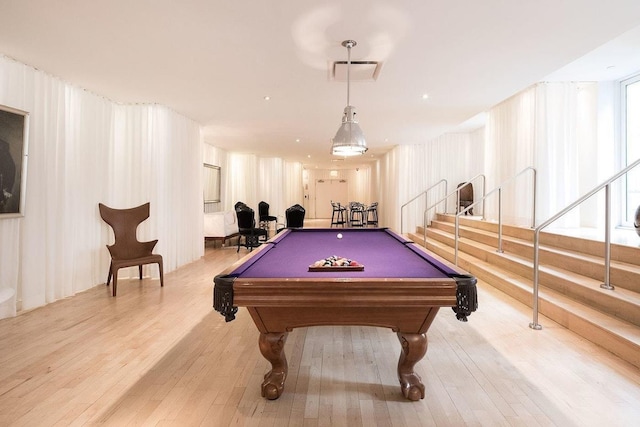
(127, 251)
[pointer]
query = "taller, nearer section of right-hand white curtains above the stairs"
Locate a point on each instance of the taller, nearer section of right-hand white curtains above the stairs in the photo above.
(553, 128)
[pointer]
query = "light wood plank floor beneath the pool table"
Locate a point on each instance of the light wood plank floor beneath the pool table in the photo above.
(162, 356)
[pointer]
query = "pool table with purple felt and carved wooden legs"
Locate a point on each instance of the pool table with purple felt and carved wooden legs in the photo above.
(400, 286)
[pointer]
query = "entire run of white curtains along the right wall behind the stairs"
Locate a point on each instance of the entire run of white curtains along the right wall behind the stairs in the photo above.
(563, 130)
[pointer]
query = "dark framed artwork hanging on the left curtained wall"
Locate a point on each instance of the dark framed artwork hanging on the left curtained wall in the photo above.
(14, 135)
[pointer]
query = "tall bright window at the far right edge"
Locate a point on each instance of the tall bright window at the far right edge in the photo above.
(631, 144)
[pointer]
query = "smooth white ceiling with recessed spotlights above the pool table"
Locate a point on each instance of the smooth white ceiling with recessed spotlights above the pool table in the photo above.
(214, 61)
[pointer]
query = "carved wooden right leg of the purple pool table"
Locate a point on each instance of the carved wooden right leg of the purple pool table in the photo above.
(414, 347)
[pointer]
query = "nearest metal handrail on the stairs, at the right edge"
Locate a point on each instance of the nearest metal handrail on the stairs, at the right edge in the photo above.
(607, 237)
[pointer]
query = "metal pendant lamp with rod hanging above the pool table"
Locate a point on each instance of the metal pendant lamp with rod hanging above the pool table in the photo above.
(349, 140)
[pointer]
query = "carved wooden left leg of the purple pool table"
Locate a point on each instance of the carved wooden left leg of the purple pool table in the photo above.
(272, 348)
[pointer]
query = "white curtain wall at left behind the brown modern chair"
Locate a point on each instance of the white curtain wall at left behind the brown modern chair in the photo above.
(84, 149)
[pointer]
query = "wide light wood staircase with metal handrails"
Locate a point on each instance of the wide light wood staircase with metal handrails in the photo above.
(571, 271)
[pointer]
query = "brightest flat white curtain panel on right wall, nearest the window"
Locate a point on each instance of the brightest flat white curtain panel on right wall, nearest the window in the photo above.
(566, 141)
